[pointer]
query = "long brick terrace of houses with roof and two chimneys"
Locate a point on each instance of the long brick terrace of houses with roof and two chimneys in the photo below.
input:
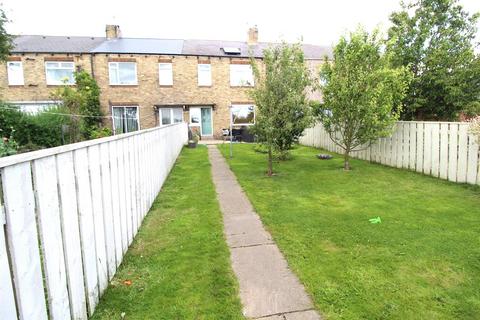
(145, 82)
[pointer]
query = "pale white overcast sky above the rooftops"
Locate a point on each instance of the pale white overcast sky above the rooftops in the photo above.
(316, 21)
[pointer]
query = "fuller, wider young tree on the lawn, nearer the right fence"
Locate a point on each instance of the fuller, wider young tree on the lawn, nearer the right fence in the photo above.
(362, 93)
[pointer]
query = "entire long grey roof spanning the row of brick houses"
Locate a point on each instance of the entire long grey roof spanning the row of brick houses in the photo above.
(60, 44)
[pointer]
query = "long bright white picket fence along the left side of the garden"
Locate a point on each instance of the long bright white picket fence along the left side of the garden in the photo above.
(71, 213)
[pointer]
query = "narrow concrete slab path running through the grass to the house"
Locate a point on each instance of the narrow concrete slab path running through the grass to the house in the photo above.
(268, 288)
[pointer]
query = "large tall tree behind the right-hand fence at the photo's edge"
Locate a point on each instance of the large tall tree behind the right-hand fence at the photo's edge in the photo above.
(434, 39)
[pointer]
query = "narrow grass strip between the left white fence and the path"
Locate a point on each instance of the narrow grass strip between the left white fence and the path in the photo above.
(179, 263)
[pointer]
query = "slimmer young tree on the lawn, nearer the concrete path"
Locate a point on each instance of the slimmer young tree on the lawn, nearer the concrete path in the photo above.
(282, 109)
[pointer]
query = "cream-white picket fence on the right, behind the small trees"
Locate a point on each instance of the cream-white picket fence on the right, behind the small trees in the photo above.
(442, 149)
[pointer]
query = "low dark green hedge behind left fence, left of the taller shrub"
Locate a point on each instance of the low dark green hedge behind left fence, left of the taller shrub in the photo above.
(33, 131)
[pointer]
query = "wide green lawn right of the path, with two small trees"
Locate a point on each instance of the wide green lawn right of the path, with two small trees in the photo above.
(421, 262)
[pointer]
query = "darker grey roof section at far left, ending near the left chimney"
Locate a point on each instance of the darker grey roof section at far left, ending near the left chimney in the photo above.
(55, 44)
